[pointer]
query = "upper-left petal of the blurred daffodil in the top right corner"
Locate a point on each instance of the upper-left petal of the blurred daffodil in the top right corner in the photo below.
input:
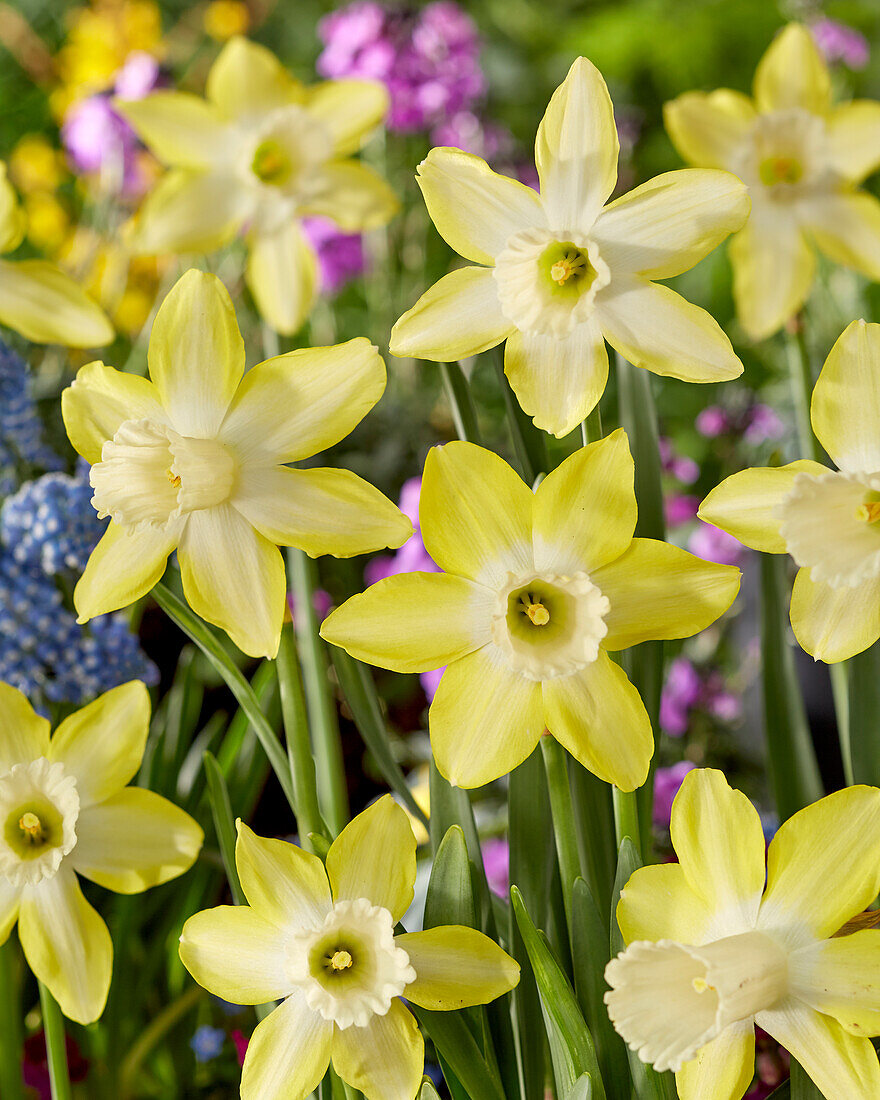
(710, 129)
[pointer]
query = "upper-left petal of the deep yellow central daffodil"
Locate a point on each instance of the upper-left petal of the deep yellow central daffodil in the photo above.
(476, 514)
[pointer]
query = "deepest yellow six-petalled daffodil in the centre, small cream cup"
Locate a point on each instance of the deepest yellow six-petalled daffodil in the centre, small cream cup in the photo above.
(538, 588)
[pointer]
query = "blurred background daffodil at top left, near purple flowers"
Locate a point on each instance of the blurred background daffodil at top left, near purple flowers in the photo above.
(260, 153)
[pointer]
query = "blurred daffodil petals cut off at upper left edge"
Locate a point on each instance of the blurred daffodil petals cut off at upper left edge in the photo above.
(37, 299)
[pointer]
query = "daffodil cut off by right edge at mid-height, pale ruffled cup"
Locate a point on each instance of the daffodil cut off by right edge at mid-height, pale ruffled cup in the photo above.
(829, 521)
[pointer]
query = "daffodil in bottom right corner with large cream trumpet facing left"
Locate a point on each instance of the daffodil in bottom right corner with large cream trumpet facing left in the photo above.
(713, 952)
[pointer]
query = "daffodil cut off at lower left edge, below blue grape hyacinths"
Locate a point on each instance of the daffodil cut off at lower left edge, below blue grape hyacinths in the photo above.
(65, 810)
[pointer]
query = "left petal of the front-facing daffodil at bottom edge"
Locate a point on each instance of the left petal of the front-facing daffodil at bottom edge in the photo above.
(237, 954)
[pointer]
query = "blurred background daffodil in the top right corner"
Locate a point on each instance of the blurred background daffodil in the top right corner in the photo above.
(802, 159)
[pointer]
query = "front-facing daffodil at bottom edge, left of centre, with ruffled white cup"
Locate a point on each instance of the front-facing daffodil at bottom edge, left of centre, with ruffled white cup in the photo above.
(323, 942)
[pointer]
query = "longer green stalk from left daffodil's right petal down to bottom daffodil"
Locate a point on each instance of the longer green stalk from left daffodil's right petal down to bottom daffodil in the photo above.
(333, 791)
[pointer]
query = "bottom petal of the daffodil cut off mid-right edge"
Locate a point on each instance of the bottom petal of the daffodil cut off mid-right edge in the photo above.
(834, 624)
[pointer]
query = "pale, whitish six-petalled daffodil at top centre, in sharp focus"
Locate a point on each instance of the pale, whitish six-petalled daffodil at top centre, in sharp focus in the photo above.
(564, 273)
